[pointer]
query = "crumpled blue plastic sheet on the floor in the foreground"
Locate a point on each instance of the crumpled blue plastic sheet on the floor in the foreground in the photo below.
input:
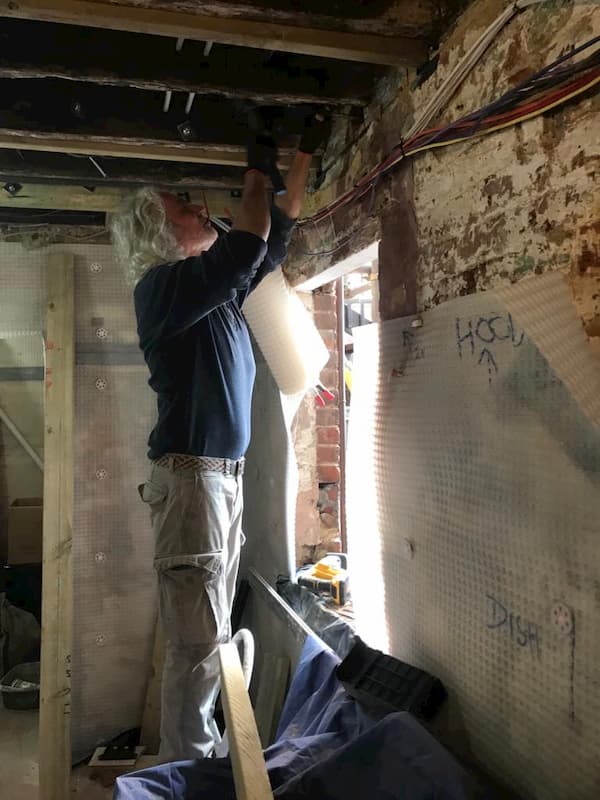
(327, 747)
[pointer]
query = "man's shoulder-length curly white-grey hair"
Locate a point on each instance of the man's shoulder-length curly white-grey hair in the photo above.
(141, 234)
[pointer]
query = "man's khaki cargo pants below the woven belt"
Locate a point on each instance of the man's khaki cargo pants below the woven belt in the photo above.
(197, 522)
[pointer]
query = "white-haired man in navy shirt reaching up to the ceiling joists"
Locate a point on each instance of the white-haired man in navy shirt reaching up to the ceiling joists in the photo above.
(190, 288)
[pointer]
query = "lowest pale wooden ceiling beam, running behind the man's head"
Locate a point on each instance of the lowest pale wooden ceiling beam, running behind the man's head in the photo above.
(108, 199)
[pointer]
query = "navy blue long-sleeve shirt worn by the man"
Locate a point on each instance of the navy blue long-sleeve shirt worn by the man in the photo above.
(196, 342)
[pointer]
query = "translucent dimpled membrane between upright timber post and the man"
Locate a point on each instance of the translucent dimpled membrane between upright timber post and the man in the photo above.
(114, 581)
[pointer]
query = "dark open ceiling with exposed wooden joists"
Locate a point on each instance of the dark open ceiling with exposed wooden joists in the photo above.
(119, 94)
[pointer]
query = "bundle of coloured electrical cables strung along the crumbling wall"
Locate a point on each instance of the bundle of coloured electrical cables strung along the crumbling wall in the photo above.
(554, 85)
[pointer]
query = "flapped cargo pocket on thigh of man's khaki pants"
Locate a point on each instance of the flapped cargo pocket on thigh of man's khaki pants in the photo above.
(193, 599)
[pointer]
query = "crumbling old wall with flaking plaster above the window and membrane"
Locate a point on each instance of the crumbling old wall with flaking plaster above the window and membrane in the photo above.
(468, 217)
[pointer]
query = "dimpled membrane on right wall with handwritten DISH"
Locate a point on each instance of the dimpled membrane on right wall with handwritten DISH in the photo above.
(474, 524)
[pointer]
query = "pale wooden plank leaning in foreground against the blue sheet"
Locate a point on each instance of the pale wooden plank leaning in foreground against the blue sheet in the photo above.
(249, 768)
